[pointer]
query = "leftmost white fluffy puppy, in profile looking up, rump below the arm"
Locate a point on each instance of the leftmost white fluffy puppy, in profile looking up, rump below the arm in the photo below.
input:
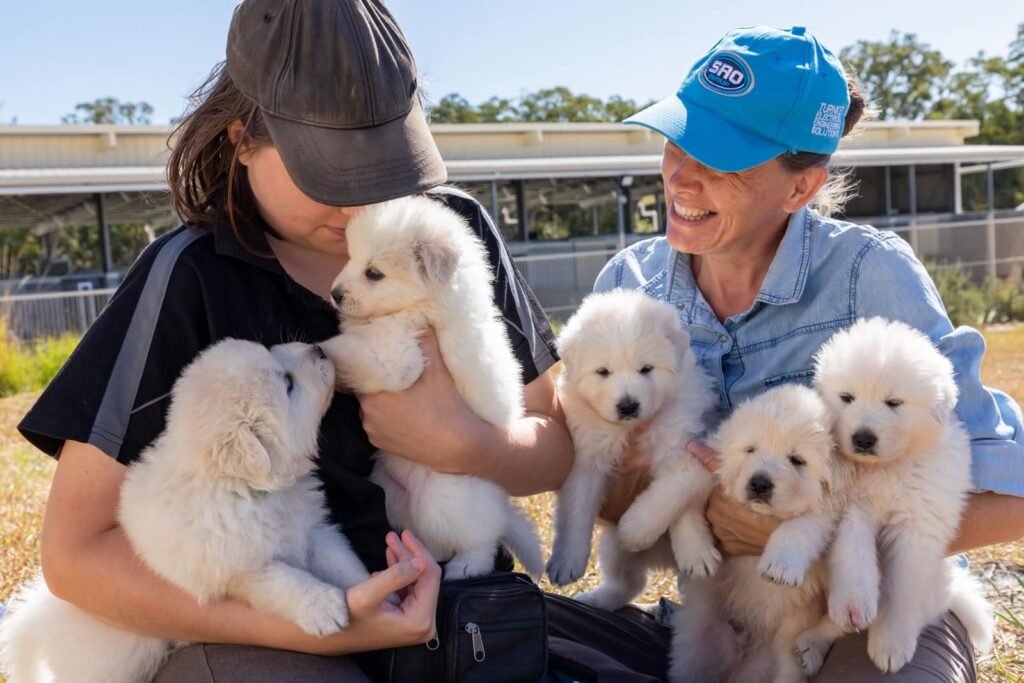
(223, 504)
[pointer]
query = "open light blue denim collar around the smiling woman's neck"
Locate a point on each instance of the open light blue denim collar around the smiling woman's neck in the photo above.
(784, 283)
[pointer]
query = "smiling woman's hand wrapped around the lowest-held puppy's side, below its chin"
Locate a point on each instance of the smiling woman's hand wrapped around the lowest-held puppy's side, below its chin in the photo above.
(739, 530)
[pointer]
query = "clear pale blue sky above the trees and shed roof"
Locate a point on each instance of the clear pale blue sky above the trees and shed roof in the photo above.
(56, 54)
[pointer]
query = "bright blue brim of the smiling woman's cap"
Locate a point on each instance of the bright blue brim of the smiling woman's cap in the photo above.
(712, 141)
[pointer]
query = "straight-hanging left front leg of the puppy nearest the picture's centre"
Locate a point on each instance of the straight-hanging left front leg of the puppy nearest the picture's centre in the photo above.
(579, 501)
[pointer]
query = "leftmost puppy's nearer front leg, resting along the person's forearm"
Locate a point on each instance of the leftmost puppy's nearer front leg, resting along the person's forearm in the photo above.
(284, 591)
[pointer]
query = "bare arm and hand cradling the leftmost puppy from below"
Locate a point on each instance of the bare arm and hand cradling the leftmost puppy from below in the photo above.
(89, 562)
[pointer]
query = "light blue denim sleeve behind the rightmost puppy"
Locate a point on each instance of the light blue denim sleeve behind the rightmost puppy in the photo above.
(992, 418)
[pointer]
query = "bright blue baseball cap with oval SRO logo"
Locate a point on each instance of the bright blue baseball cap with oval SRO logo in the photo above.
(760, 93)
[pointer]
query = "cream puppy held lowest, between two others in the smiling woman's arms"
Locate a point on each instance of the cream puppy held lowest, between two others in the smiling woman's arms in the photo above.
(745, 624)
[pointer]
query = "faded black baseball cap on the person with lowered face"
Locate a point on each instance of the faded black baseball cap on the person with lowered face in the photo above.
(336, 83)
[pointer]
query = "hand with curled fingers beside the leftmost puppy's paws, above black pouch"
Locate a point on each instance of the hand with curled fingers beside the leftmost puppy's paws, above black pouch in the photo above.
(376, 622)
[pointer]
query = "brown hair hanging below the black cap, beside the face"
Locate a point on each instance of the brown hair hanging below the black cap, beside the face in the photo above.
(208, 185)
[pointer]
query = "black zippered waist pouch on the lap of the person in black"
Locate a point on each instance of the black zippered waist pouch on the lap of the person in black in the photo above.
(490, 630)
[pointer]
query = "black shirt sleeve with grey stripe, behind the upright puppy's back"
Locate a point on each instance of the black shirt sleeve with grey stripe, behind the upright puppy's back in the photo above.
(528, 326)
